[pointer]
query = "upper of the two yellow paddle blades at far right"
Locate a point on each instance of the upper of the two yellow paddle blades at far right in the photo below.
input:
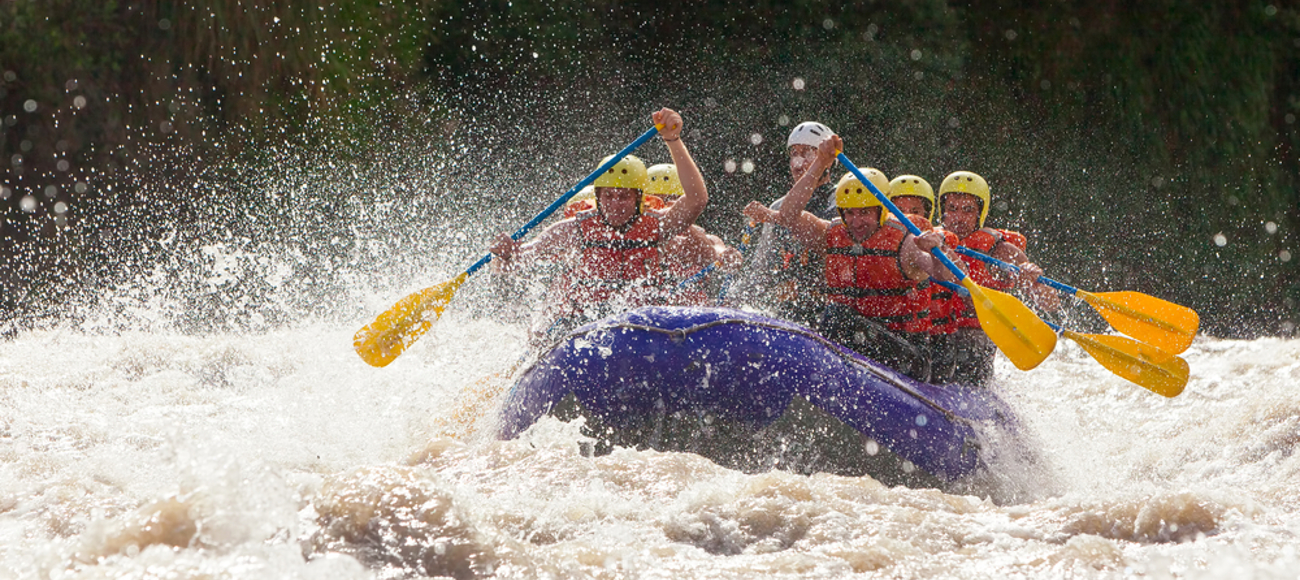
(1160, 323)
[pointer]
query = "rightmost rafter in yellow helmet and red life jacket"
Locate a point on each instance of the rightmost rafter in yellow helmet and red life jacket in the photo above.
(964, 206)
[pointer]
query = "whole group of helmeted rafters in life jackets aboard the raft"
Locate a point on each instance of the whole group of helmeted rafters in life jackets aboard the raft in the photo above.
(844, 267)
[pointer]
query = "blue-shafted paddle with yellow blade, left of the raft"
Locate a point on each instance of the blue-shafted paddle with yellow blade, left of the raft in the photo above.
(384, 340)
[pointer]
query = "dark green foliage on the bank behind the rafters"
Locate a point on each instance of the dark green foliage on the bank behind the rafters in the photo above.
(1124, 138)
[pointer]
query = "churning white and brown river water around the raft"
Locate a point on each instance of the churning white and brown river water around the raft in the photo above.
(144, 453)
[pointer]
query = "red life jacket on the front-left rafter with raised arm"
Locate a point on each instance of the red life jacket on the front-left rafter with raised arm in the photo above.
(617, 261)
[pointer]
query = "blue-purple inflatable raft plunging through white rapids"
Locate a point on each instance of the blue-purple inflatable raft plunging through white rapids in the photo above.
(755, 393)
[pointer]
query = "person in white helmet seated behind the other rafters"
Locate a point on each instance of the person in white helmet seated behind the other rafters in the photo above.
(783, 278)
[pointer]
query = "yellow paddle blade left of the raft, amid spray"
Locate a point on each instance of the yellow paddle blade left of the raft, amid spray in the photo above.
(384, 340)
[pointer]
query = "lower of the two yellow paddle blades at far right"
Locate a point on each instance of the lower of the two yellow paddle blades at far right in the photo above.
(1137, 362)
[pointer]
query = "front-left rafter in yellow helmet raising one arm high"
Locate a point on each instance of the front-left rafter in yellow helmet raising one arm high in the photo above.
(612, 258)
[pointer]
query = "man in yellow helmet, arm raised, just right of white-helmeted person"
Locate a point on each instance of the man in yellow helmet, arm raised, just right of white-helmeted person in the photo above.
(876, 272)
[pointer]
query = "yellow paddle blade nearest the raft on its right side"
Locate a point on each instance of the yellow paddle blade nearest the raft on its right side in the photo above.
(1020, 334)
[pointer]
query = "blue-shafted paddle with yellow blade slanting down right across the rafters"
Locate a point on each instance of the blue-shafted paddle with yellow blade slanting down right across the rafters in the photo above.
(1013, 327)
